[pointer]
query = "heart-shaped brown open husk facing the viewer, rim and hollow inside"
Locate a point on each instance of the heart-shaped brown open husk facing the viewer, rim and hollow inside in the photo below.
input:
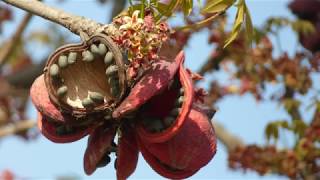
(82, 78)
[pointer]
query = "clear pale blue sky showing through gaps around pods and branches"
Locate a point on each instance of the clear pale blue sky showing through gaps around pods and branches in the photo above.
(42, 159)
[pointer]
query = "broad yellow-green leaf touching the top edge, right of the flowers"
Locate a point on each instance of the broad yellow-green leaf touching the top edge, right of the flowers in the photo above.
(214, 6)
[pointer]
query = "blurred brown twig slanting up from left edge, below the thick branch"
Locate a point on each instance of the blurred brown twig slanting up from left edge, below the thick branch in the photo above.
(13, 41)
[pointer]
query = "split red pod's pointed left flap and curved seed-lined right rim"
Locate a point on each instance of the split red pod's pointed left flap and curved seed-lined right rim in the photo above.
(162, 87)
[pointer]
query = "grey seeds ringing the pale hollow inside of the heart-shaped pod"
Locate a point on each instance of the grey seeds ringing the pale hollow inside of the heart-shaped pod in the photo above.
(66, 62)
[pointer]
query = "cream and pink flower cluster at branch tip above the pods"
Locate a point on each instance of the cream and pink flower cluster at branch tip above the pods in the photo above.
(141, 38)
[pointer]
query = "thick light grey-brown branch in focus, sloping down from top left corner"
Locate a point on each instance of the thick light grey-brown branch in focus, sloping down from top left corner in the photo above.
(74, 23)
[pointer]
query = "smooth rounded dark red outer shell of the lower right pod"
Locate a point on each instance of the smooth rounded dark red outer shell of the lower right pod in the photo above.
(186, 152)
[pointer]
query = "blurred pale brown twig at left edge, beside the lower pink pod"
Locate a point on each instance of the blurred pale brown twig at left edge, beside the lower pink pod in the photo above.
(16, 127)
